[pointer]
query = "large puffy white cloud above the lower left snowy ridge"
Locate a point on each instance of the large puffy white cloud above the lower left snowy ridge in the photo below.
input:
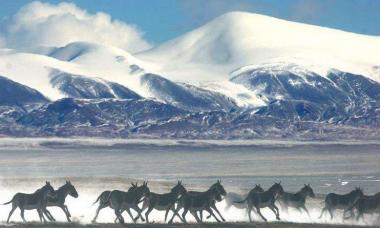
(57, 25)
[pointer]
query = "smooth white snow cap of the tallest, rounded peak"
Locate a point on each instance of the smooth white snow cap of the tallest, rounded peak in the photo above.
(238, 39)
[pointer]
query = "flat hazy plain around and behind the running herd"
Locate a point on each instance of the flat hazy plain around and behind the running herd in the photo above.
(97, 165)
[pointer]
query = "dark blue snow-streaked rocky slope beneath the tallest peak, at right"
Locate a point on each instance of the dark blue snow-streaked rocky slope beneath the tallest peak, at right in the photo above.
(293, 92)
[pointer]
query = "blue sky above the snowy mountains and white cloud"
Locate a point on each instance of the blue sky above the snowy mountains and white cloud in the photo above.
(164, 19)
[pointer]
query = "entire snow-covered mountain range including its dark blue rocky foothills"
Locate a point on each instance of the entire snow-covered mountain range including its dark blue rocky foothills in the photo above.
(237, 73)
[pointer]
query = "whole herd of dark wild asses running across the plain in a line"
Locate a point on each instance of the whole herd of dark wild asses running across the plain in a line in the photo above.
(142, 200)
